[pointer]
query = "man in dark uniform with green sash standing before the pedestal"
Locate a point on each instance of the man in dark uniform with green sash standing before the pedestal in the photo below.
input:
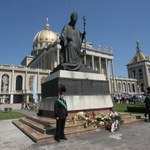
(61, 113)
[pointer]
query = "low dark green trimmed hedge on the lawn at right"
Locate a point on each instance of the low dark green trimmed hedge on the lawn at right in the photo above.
(136, 108)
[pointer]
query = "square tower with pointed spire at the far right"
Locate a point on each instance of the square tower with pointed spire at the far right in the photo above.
(139, 68)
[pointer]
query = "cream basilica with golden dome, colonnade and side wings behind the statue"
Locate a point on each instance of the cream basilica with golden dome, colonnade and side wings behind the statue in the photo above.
(17, 80)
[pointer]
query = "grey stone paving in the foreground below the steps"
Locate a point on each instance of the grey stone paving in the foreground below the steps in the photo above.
(133, 136)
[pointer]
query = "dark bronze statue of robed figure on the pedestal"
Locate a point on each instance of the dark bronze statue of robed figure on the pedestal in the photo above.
(71, 41)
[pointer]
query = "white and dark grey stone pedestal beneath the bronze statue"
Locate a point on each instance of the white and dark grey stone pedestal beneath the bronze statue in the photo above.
(85, 92)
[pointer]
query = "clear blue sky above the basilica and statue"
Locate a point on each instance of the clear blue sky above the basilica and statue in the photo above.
(116, 24)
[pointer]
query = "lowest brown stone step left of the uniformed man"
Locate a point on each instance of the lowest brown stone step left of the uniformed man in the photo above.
(32, 133)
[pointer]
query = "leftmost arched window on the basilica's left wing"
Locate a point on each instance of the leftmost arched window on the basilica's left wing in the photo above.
(5, 83)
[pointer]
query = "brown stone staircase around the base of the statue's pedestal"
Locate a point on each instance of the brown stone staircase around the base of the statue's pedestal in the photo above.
(42, 129)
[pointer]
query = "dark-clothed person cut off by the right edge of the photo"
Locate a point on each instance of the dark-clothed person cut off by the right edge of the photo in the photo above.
(147, 104)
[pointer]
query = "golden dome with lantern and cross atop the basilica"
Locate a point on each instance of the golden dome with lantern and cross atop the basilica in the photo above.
(43, 38)
